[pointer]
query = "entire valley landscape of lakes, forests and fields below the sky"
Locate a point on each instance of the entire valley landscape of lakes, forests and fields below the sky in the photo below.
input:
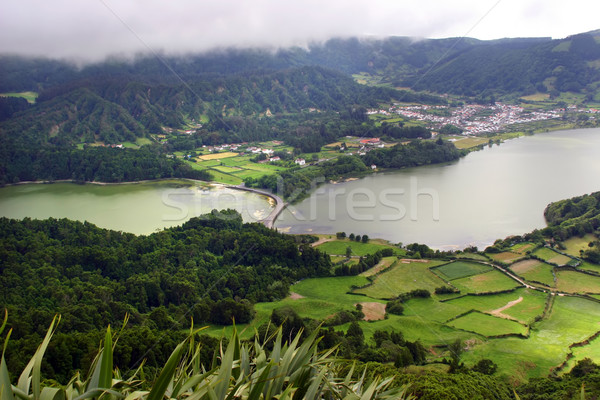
(426, 208)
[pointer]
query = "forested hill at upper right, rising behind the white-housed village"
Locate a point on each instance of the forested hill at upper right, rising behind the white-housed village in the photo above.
(568, 65)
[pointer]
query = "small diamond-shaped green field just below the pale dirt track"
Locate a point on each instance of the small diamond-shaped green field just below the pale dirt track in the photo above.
(487, 325)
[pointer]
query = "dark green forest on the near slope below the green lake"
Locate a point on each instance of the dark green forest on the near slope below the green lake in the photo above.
(212, 269)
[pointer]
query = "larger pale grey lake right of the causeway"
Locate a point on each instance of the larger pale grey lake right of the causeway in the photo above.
(489, 194)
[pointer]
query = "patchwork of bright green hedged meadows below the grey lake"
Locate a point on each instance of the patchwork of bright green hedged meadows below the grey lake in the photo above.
(526, 331)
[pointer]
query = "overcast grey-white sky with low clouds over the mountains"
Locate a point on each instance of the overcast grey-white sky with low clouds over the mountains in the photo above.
(92, 29)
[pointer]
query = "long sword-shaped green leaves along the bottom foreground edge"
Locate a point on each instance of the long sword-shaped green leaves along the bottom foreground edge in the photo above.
(246, 371)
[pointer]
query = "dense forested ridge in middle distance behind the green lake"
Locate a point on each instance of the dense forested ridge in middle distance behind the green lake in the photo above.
(113, 110)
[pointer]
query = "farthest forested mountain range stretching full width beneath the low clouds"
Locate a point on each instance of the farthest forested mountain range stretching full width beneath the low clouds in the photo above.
(455, 65)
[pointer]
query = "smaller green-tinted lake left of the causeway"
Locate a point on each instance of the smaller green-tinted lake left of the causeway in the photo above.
(140, 208)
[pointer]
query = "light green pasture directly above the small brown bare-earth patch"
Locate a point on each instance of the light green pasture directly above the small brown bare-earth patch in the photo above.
(404, 277)
